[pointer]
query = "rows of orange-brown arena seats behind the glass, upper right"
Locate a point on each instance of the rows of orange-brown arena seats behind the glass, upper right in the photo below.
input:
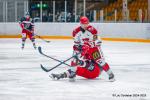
(133, 6)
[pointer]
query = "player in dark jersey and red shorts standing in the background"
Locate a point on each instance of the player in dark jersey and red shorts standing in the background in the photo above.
(27, 26)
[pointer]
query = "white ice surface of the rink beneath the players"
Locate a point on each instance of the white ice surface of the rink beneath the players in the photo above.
(21, 77)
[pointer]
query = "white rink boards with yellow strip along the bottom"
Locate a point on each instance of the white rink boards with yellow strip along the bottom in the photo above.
(132, 32)
